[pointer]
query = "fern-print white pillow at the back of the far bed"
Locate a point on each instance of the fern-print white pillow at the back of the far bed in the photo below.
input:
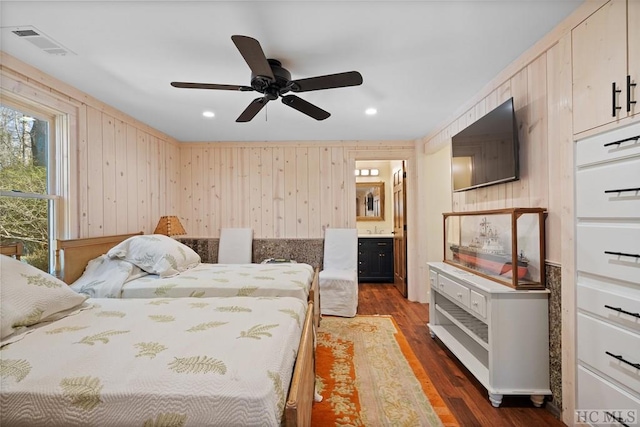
(156, 254)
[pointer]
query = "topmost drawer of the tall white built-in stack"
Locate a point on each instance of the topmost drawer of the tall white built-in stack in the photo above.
(599, 148)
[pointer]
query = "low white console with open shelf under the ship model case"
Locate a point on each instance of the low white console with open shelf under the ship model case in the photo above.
(500, 334)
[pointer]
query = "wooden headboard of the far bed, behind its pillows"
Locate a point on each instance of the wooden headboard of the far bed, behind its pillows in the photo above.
(76, 254)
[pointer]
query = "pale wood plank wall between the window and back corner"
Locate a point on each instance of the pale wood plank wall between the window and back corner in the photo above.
(132, 176)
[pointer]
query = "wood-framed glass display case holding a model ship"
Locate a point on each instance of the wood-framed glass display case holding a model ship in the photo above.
(490, 243)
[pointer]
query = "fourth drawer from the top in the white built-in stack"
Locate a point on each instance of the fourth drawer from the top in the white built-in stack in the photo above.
(614, 303)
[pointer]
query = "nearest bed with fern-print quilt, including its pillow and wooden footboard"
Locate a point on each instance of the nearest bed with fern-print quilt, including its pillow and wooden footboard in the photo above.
(162, 361)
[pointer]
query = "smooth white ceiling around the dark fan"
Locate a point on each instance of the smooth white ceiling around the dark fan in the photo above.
(420, 60)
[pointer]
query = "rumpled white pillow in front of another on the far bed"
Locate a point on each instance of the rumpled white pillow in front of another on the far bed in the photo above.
(104, 277)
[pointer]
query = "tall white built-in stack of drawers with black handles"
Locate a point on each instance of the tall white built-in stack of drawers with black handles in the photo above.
(608, 277)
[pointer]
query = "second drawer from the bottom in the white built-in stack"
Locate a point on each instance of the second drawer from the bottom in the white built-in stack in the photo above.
(599, 341)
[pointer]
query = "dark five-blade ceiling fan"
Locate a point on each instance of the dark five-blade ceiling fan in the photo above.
(270, 79)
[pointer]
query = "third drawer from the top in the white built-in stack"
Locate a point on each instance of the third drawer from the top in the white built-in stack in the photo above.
(594, 239)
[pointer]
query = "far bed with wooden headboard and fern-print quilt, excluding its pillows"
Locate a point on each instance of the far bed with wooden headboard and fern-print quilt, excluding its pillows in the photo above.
(203, 280)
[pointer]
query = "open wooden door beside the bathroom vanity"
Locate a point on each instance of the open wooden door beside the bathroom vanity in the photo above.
(399, 231)
